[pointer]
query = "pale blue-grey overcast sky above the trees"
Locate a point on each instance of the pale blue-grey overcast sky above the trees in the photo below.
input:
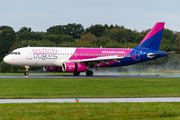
(138, 15)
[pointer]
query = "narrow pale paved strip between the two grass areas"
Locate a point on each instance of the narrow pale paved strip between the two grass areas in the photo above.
(91, 100)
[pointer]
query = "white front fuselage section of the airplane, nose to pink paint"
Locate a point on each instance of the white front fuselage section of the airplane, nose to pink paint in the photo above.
(39, 56)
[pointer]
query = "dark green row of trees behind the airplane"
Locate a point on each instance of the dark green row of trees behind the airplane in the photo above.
(74, 35)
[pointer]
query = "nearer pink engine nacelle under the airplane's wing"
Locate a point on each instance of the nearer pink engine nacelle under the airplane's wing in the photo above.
(74, 67)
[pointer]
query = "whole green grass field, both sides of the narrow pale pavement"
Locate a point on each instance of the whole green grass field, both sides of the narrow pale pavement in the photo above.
(88, 87)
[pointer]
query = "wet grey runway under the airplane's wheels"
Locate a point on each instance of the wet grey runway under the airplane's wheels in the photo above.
(95, 76)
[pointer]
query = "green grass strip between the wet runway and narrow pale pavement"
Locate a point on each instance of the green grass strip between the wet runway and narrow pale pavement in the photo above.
(89, 88)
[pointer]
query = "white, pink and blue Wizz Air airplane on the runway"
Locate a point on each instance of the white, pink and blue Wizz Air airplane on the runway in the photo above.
(76, 60)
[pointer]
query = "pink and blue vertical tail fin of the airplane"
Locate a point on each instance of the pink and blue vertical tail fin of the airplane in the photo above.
(153, 39)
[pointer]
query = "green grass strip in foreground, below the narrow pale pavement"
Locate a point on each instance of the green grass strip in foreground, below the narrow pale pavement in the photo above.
(95, 111)
